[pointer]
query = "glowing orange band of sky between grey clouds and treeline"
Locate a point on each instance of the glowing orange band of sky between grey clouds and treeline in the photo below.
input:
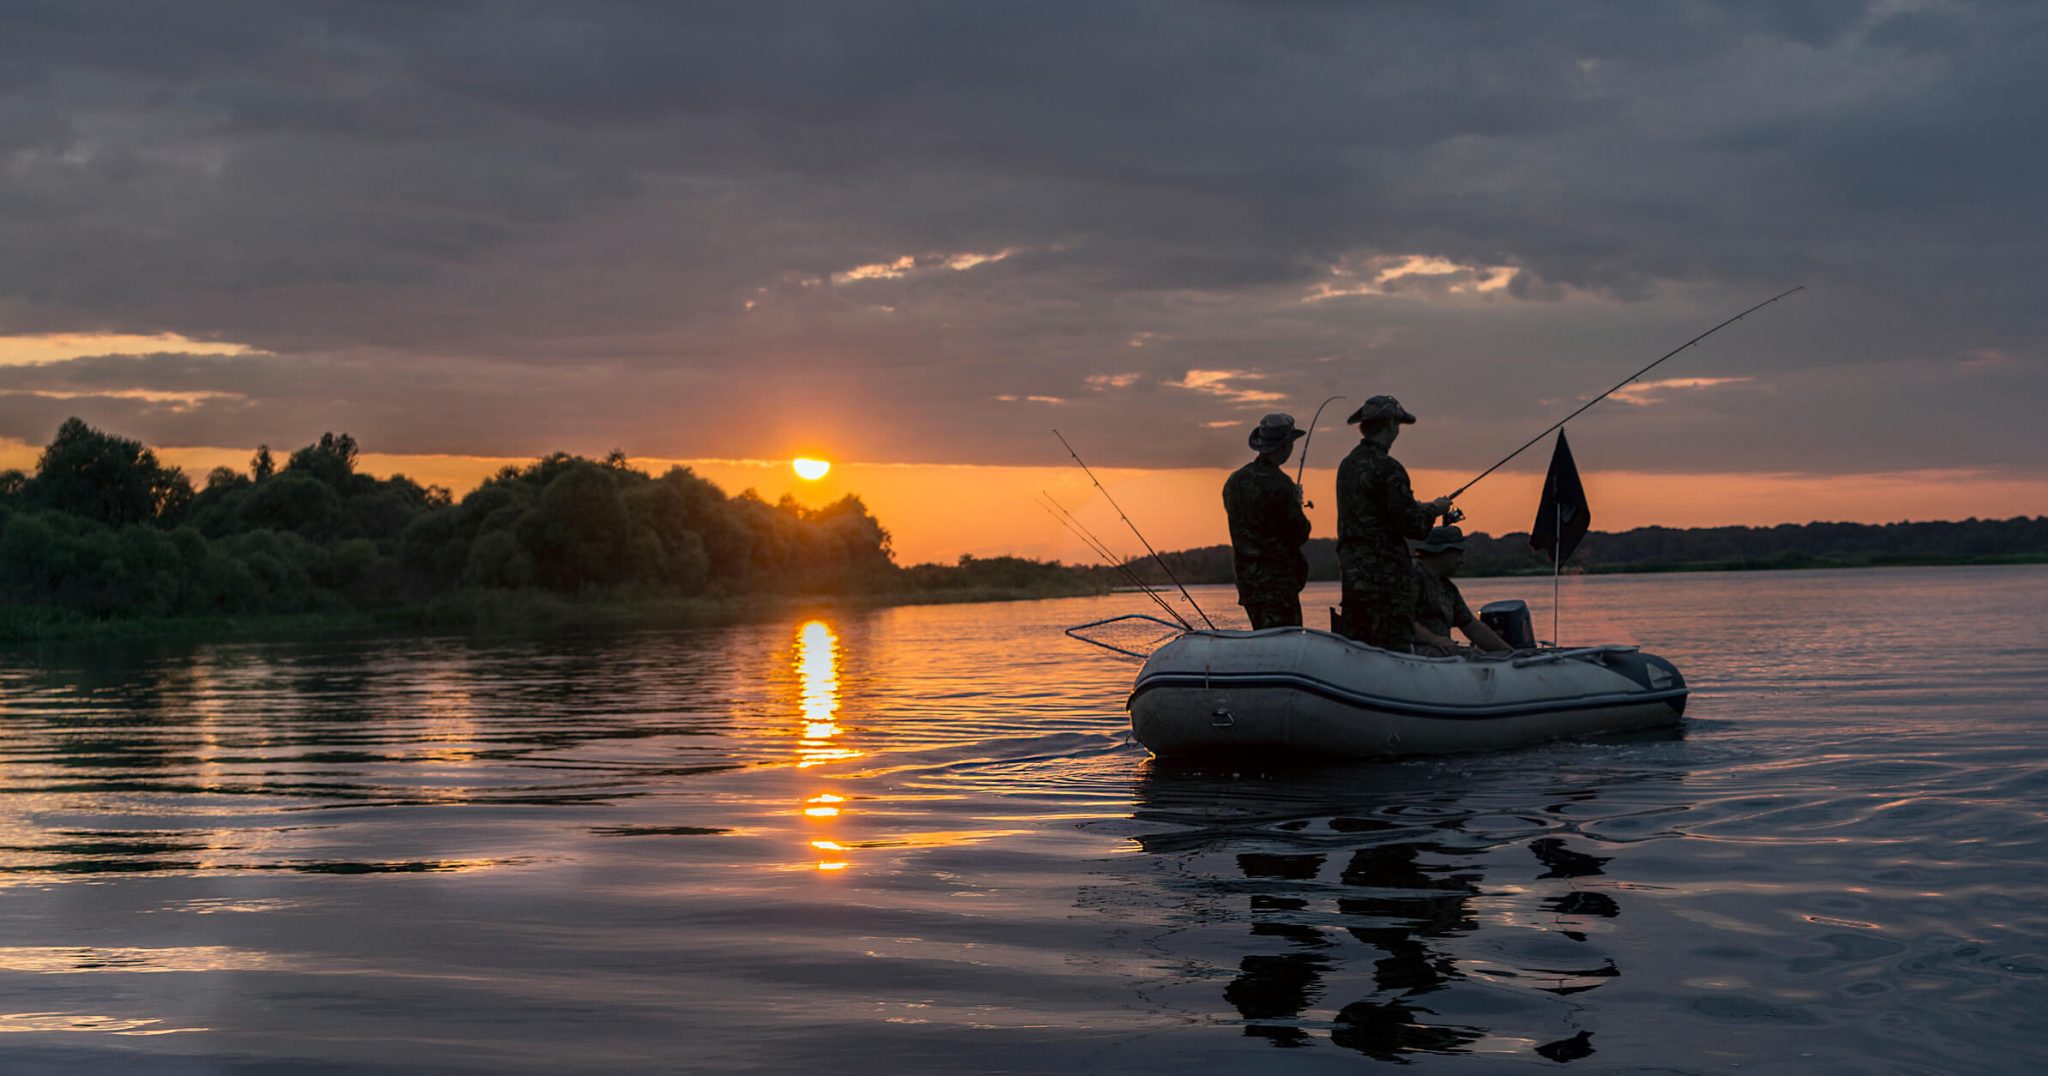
(941, 511)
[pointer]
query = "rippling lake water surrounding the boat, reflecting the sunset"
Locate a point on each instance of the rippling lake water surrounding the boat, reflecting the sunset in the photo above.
(921, 841)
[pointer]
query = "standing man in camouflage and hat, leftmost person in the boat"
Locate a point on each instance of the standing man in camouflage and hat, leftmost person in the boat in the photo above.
(1269, 528)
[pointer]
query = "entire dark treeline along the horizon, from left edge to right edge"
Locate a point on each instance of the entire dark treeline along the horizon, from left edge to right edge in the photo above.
(103, 532)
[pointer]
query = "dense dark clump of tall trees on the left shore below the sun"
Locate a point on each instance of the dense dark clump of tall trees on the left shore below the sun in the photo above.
(105, 532)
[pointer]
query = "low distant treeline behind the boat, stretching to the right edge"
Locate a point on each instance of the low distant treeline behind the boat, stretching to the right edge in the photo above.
(1703, 550)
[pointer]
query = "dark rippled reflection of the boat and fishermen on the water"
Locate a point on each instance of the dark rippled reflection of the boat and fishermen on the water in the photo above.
(1365, 909)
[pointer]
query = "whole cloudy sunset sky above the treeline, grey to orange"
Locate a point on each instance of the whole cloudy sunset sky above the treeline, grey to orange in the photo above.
(916, 239)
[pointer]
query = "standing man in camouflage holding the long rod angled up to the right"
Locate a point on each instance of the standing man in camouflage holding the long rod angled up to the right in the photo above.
(1377, 513)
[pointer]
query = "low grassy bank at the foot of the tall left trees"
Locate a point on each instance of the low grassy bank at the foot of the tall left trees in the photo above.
(497, 614)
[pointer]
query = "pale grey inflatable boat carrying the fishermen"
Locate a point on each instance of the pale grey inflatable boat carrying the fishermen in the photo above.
(1304, 692)
